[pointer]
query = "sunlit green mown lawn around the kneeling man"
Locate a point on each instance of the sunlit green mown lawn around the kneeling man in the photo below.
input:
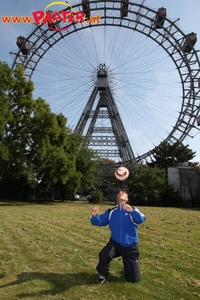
(50, 251)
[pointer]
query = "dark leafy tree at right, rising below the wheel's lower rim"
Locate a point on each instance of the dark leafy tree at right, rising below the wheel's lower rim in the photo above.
(166, 155)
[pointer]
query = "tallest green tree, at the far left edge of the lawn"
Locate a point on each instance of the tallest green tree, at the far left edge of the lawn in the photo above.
(16, 94)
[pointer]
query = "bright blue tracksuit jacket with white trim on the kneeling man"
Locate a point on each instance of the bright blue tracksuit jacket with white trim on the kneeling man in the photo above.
(122, 224)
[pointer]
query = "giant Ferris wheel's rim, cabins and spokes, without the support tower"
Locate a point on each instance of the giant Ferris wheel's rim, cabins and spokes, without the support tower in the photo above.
(152, 68)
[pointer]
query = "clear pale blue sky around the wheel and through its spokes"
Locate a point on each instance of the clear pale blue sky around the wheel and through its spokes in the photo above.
(144, 81)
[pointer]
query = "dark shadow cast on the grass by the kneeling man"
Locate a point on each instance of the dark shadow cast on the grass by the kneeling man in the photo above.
(59, 282)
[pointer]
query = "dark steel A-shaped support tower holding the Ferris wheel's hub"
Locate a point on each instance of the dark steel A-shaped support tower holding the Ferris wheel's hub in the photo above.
(112, 141)
